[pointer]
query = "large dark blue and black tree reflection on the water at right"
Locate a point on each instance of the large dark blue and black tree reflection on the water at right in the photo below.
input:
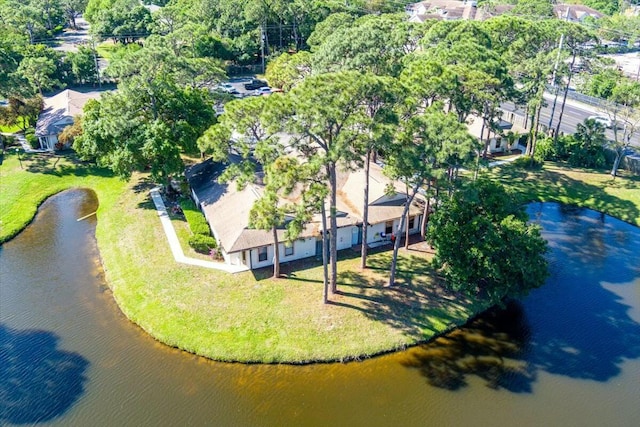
(573, 326)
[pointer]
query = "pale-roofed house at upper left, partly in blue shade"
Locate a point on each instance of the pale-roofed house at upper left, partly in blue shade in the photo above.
(58, 113)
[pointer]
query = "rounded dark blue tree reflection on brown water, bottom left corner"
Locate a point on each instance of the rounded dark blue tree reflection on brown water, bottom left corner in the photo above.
(38, 381)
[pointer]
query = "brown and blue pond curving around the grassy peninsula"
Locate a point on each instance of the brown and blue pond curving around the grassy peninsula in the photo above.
(568, 354)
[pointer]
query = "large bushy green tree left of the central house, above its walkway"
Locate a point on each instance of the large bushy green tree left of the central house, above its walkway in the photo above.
(149, 122)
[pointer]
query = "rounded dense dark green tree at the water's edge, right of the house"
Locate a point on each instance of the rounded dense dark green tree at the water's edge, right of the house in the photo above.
(484, 247)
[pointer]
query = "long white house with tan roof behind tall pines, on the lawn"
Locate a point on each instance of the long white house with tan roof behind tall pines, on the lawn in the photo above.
(227, 211)
